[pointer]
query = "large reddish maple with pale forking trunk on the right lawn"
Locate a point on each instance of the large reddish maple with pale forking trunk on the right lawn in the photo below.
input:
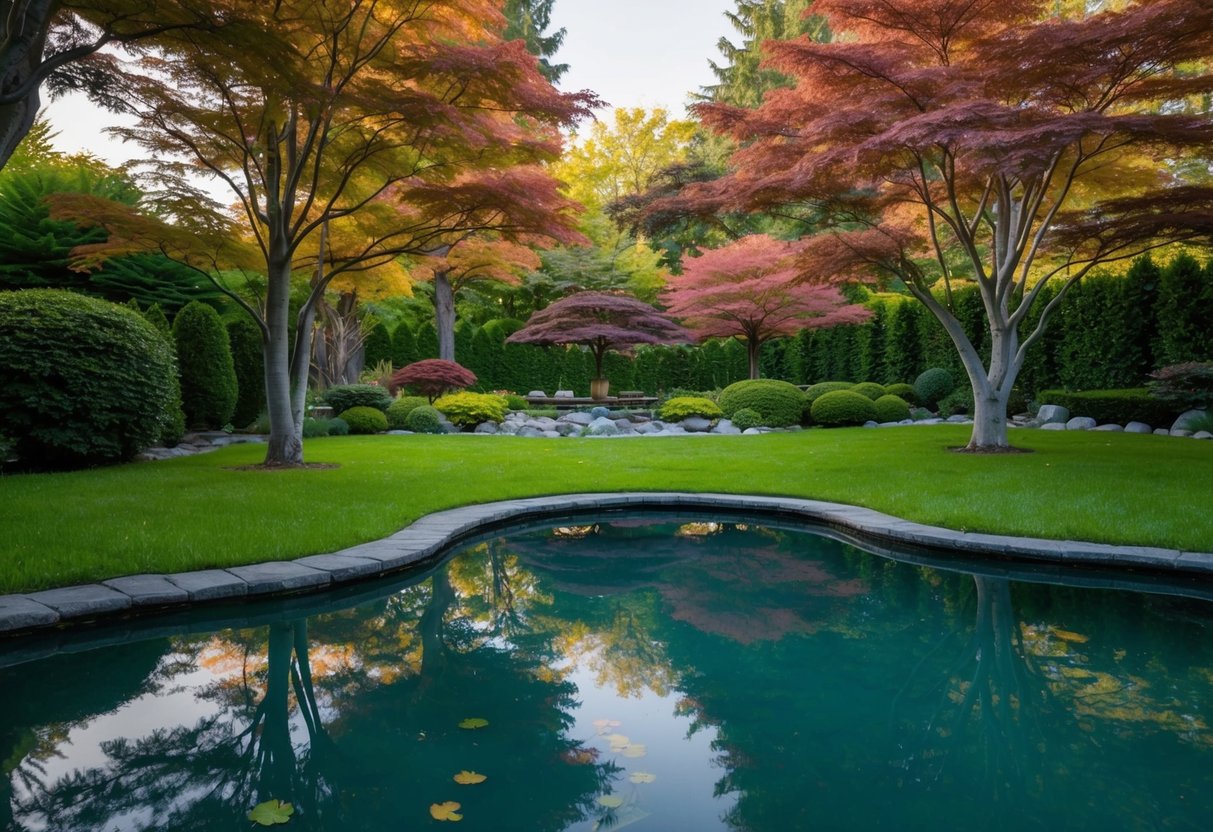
(992, 141)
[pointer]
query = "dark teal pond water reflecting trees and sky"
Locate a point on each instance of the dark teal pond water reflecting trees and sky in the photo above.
(651, 674)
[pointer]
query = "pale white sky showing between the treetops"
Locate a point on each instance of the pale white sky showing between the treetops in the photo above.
(631, 53)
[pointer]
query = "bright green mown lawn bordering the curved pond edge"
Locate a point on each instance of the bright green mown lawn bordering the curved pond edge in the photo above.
(198, 512)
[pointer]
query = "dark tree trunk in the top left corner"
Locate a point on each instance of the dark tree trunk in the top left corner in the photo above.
(24, 37)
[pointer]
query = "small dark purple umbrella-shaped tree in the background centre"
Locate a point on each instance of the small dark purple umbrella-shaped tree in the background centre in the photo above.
(602, 323)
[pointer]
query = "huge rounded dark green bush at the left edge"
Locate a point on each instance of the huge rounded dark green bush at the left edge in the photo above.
(82, 381)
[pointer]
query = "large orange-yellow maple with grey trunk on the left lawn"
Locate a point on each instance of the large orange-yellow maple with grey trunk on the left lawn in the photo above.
(350, 135)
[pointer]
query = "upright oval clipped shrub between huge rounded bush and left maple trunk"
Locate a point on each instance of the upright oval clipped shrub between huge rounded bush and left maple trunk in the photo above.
(208, 373)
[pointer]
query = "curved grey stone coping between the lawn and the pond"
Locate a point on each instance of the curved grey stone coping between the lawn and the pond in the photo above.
(432, 534)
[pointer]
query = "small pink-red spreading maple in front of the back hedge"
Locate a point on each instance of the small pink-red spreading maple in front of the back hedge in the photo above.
(754, 290)
